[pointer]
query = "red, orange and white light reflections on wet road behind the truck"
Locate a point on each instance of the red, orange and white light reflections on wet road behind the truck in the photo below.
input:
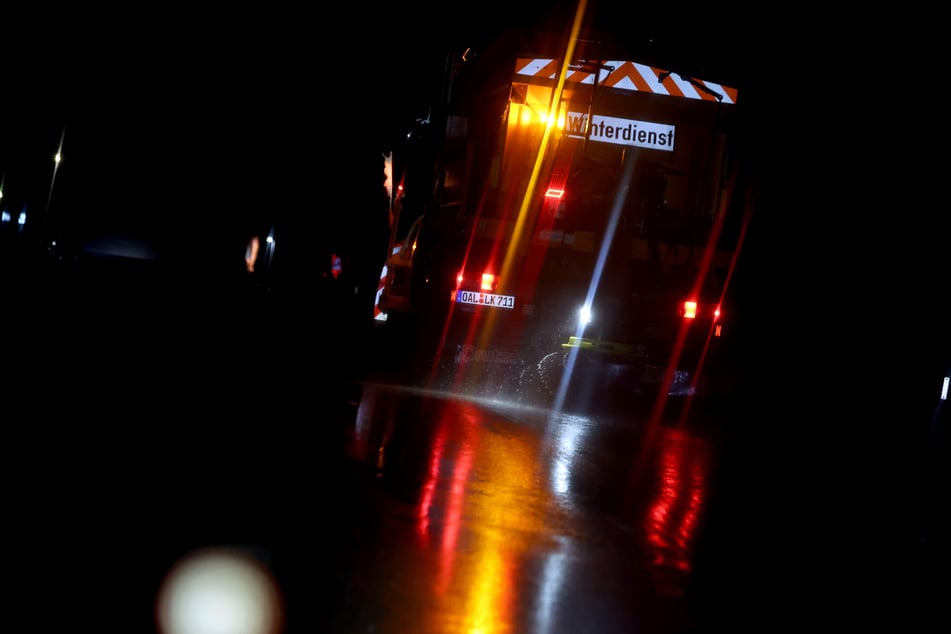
(501, 519)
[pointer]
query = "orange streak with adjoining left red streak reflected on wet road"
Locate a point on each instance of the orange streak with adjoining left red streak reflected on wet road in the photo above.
(482, 507)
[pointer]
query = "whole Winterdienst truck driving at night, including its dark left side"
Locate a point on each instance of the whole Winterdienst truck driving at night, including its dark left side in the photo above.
(576, 224)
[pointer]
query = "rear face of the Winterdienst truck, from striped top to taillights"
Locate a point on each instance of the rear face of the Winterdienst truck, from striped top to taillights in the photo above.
(597, 253)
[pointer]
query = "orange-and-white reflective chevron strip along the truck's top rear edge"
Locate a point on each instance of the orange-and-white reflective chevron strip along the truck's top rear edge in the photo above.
(626, 75)
